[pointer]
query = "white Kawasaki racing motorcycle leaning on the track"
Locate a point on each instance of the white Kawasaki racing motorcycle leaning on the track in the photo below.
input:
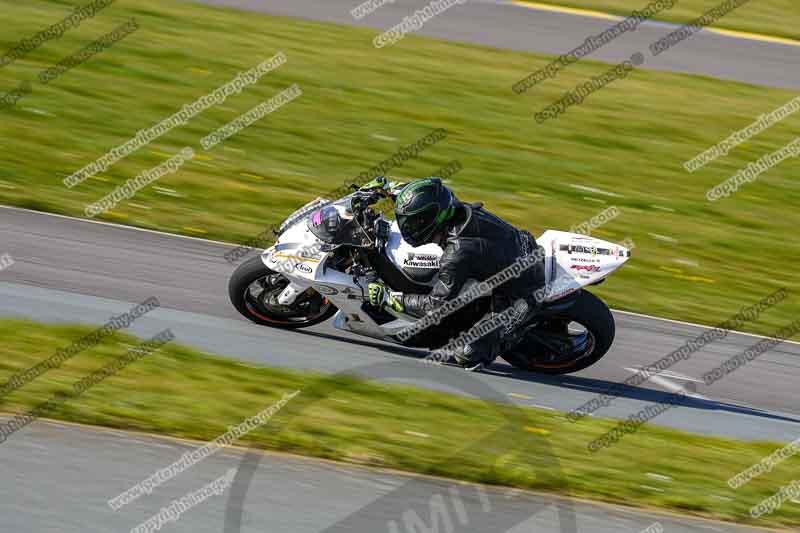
(327, 252)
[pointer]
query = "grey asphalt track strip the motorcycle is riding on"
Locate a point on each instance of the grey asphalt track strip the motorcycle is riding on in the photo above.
(70, 270)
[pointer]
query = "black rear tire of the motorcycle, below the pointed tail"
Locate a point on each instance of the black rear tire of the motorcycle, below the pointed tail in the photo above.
(592, 314)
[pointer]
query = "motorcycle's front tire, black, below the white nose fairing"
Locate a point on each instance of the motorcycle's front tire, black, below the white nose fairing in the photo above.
(253, 288)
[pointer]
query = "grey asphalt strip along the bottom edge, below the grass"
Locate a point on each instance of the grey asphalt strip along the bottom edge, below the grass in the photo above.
(63, 475)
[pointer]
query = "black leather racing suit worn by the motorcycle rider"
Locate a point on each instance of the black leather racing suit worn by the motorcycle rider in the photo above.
(478, 246)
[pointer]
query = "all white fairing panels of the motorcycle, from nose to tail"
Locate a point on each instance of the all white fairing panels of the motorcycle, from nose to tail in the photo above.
(572, 261)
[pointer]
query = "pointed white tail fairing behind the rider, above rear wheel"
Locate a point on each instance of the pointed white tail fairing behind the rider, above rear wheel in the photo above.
(573, 261)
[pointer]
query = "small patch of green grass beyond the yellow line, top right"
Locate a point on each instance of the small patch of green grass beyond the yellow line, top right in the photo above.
(777, 18)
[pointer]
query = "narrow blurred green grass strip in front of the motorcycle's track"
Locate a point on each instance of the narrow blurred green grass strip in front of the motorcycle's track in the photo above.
(180, 392)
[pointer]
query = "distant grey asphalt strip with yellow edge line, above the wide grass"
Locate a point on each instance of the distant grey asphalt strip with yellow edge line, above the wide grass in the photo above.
(512, 26)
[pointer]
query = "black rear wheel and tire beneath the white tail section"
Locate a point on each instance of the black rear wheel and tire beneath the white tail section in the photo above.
(588, 311)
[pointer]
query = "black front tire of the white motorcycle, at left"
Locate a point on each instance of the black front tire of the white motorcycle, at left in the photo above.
(240, 291)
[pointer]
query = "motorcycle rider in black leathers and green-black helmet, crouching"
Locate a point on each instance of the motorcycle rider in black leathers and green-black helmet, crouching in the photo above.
(477, 245)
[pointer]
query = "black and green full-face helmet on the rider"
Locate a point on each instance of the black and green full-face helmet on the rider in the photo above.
(422, 208)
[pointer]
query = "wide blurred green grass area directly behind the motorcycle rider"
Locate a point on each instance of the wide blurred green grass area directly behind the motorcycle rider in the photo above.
(624, 146)
